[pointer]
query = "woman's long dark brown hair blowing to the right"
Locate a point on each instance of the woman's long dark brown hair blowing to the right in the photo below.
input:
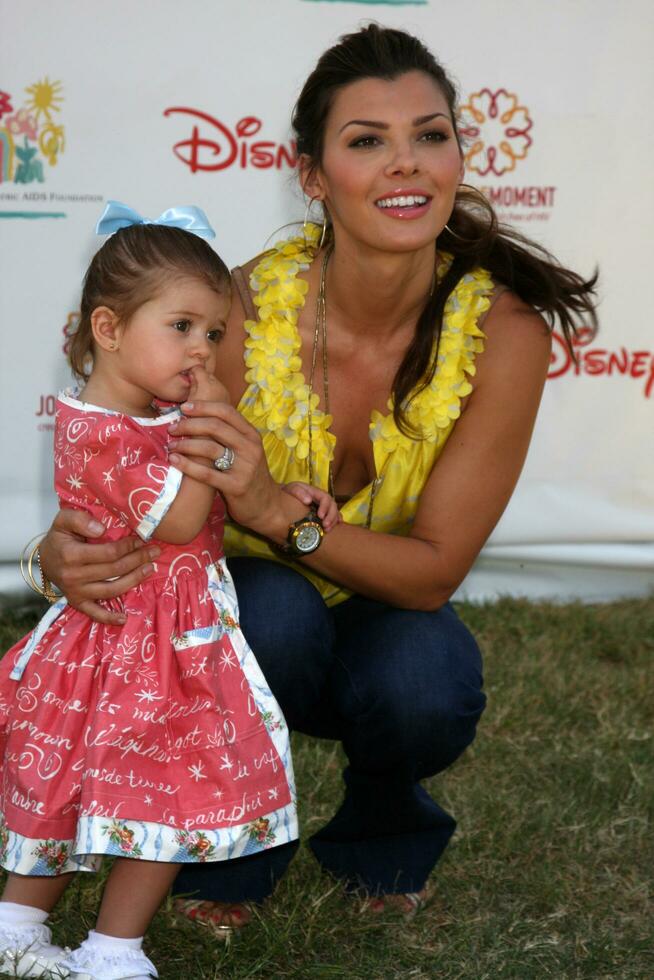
(476, 237)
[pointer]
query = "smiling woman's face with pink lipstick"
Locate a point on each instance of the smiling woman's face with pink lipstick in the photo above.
(391, 163)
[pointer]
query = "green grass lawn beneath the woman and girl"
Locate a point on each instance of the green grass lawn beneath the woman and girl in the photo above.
(549, 873)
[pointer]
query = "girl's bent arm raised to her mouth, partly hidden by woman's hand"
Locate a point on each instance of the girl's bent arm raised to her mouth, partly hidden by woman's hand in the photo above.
(190, 509)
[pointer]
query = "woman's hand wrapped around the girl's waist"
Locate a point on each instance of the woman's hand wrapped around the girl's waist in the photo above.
(82, 570)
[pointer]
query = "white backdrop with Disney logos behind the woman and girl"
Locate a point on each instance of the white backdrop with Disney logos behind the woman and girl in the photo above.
(557, 96)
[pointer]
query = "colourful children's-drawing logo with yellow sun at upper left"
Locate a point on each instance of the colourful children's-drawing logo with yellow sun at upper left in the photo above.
(30, 135)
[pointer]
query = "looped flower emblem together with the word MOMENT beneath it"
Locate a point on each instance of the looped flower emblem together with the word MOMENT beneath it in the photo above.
(497, 131)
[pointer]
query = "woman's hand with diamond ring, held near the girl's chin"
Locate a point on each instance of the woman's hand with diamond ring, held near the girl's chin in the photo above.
(252, 496)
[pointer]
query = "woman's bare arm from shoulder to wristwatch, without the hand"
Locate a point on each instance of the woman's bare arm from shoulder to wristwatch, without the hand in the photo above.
(471, 483)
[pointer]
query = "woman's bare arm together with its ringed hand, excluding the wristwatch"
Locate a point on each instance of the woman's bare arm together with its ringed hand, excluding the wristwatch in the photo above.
(463, 499)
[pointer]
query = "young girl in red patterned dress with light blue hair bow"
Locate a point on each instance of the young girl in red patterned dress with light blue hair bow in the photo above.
(158, 739)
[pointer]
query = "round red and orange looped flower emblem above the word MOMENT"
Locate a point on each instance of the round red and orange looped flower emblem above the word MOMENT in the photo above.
(496, 129)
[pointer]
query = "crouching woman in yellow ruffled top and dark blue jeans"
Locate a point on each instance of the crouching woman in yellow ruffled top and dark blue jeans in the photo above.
(356, 636)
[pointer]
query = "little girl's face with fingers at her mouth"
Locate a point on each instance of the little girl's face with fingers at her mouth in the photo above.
(175, 331)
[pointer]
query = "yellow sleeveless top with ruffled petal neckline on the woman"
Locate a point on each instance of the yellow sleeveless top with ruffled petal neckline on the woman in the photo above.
(276, 401)
